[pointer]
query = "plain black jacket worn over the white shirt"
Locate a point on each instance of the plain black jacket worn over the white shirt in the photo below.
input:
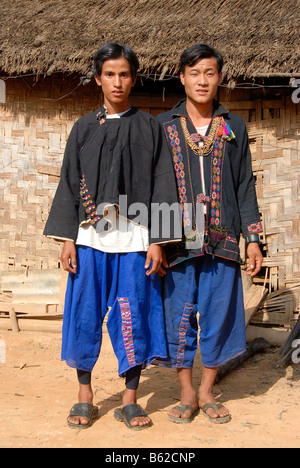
(105, 159)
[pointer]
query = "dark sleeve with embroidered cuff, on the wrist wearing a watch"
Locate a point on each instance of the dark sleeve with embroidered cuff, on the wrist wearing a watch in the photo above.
(247, 200)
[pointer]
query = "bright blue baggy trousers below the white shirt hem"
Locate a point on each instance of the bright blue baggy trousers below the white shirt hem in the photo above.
(135, 322)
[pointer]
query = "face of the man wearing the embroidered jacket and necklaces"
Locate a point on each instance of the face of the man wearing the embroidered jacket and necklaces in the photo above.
(201, 81)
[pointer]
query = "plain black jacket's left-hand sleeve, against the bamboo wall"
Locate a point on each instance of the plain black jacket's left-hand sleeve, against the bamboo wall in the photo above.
(63, 220)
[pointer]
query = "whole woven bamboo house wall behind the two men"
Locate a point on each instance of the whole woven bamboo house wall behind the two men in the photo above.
(32, 142)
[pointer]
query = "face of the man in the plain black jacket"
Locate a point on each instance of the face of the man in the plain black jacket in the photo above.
(116, 82)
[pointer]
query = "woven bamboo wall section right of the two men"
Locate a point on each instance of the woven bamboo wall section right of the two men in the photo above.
(274, 130)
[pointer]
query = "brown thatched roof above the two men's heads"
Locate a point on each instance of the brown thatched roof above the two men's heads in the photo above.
(255, 36)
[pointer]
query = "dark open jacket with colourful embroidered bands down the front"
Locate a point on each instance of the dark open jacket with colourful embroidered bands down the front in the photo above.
(230, 198)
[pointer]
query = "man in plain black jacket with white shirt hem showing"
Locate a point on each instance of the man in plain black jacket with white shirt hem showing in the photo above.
(115, 153)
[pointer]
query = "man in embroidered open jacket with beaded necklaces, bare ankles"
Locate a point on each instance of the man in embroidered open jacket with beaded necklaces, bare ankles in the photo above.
(212, 162)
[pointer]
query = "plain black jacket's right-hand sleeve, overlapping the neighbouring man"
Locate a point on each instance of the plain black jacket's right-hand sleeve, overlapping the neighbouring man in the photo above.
(166, 217)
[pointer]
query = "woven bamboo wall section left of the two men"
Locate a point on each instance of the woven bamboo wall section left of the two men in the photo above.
(32, 142)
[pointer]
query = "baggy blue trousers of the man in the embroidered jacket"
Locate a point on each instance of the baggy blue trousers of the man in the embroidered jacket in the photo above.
(213, 287)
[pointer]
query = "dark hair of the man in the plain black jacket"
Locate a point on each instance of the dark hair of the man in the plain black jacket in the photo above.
(112, 50)
